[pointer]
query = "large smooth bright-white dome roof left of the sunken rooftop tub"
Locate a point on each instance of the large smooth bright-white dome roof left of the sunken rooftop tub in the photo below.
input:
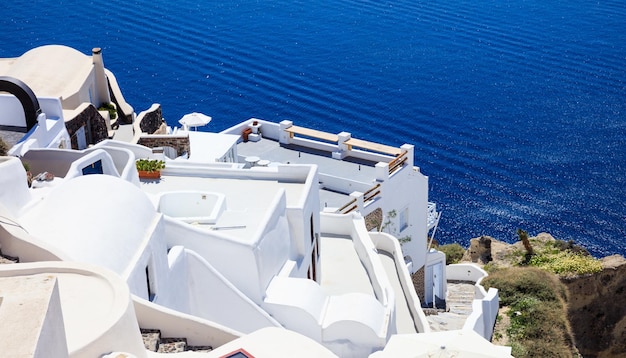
(98, 219)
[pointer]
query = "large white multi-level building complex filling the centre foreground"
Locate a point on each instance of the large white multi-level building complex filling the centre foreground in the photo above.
(236, 240)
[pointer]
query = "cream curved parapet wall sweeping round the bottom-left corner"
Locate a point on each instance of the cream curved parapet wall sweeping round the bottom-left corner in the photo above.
(98, 315)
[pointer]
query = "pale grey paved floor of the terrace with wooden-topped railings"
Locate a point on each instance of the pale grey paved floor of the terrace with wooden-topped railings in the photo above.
(349, 168)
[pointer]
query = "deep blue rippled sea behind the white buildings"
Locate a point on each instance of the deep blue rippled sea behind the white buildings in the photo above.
(517, 108)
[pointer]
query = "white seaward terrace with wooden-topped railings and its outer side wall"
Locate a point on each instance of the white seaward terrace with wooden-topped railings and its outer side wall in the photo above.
(354, 175)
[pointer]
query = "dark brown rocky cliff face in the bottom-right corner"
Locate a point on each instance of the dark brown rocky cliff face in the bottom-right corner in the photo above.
(597, 310)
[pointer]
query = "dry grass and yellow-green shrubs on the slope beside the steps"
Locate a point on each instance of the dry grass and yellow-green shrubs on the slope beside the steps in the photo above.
(533, 316)
